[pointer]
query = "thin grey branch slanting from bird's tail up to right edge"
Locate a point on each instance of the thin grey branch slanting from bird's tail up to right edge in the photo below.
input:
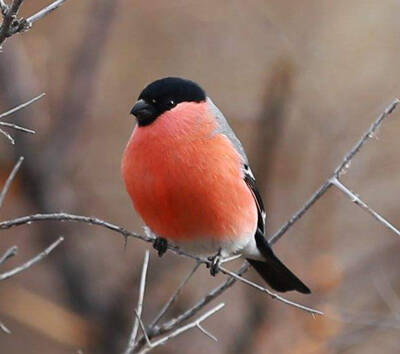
(338, 171)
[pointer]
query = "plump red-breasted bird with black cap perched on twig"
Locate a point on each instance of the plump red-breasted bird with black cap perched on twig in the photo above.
(189, 179)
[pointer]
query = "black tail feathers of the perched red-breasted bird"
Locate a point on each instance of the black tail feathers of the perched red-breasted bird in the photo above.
(274, 272)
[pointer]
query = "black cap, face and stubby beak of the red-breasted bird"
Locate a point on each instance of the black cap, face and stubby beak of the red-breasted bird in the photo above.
(163, 95)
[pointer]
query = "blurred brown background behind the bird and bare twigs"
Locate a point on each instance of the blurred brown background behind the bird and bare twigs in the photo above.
(299, 81)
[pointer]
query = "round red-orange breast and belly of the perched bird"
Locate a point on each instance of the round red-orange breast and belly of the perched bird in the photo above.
(185, 178)
